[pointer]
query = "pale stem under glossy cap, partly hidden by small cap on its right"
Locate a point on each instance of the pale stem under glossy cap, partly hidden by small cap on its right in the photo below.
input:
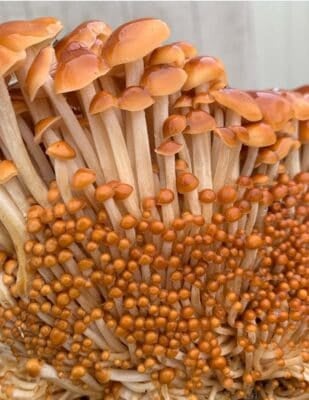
(99, 135)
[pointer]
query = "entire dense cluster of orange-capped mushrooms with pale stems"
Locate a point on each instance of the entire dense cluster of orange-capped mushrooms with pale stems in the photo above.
(153, 221)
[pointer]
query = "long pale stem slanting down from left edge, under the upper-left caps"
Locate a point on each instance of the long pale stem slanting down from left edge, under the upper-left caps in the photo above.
(14, 142)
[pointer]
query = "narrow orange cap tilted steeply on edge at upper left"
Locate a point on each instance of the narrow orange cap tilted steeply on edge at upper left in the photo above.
(39, 71)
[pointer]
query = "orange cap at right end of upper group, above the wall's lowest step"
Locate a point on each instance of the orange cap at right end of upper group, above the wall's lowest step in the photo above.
(201, 70)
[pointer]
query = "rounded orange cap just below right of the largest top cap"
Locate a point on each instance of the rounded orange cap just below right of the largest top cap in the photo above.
(162, 80)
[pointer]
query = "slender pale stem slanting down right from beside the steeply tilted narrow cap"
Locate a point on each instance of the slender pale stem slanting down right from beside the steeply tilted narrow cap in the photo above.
(74, 128)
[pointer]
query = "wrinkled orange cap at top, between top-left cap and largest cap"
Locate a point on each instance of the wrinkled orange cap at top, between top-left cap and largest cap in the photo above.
(86, 34)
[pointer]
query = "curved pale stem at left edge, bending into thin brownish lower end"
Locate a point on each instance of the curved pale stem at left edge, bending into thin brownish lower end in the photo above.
(13, 221)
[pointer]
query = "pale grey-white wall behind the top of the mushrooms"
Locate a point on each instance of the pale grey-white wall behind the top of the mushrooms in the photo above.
(263, 44)
